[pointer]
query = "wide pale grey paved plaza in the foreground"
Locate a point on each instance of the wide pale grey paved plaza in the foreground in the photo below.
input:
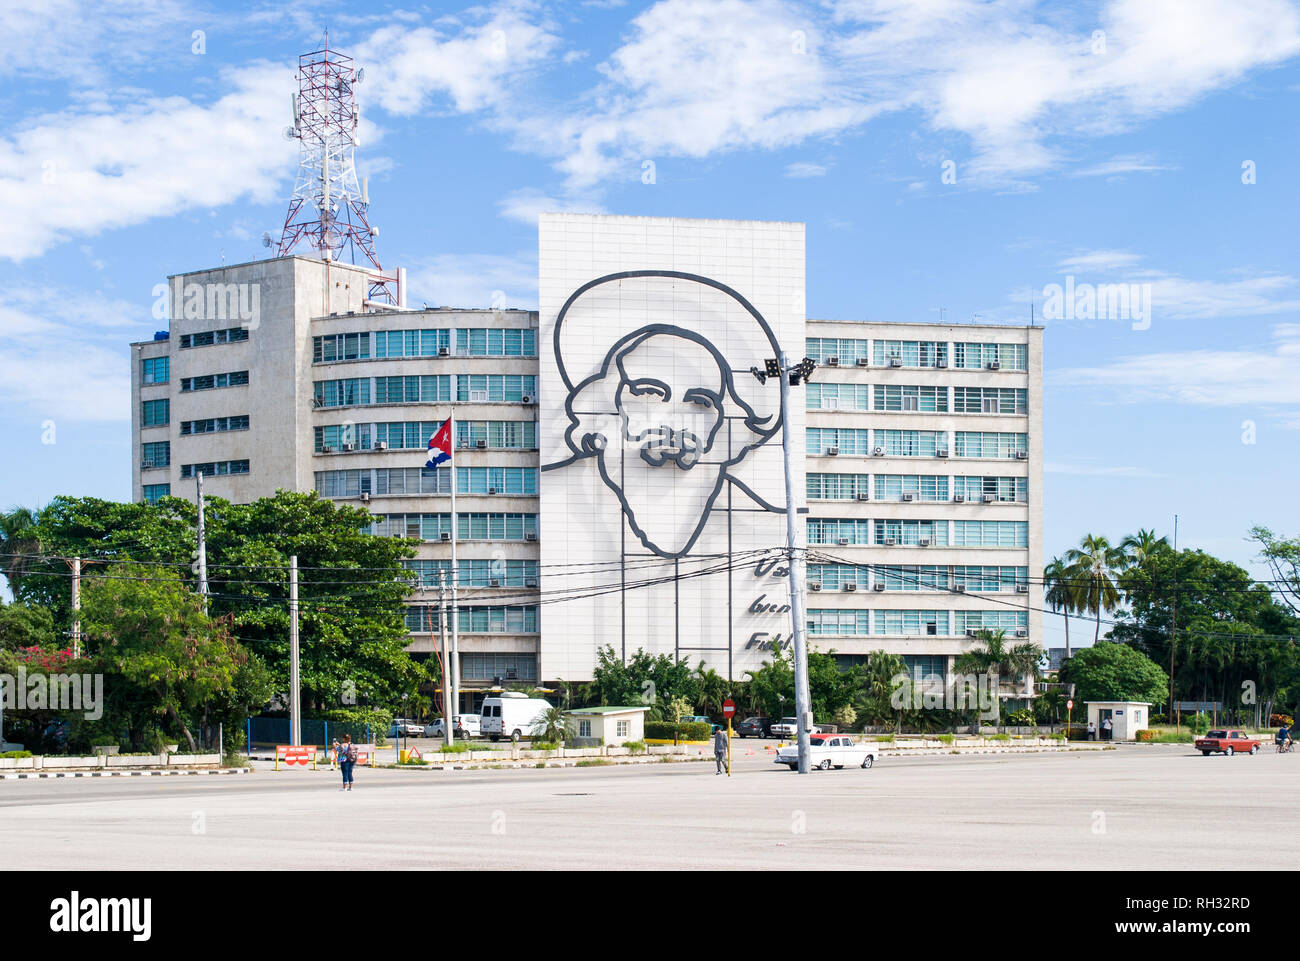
(1149, 807)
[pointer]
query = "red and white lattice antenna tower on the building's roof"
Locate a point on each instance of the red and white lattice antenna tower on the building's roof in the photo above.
(330, 207)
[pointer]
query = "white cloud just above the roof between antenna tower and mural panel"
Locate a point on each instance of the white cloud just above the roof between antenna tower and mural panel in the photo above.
(474, 280)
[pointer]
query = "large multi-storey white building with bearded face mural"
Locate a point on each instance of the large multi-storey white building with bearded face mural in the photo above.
(618, 465)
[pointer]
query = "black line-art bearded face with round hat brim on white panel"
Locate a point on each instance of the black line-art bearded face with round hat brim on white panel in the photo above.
(664, 418)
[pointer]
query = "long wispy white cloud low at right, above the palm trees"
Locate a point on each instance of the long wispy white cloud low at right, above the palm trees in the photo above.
(1264, 376)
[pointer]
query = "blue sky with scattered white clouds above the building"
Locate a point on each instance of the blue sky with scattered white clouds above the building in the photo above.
(1110, 142)
